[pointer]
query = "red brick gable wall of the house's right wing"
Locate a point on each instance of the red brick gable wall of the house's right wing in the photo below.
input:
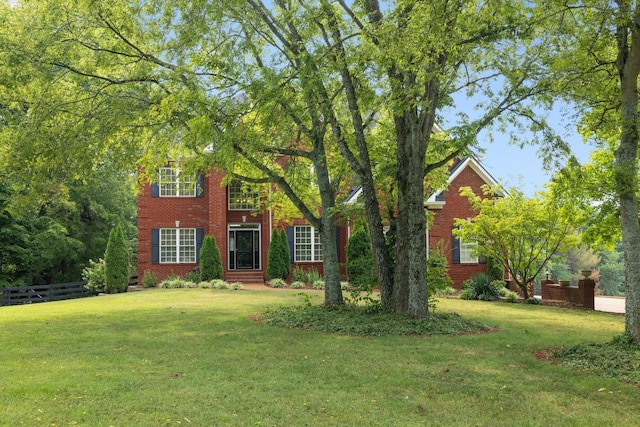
(455, 206)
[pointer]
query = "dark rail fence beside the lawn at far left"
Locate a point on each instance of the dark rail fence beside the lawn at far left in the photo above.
(44, 293)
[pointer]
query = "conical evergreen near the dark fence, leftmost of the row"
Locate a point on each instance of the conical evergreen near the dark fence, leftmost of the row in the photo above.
(116, 263)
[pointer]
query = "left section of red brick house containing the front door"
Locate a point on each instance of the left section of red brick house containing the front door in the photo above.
(174, 215)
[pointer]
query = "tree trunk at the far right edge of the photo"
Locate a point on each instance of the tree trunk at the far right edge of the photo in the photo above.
(626, 156)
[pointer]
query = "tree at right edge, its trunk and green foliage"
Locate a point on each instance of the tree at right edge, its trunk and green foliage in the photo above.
(597, 66)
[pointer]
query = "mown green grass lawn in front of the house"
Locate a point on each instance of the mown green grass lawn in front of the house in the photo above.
(194, 357)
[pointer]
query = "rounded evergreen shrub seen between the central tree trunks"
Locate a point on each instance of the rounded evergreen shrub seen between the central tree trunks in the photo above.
(360, 260)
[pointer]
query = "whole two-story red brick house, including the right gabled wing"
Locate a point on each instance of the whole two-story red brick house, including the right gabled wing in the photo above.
(174, 215)
